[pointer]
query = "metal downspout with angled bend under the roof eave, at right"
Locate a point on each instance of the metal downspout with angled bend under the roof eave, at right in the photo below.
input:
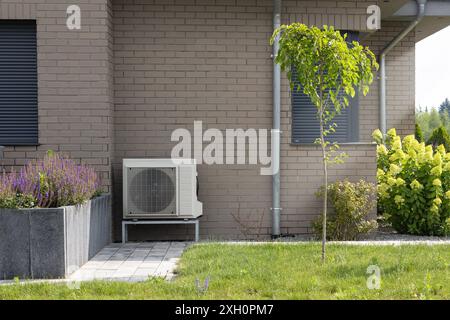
(421, 4)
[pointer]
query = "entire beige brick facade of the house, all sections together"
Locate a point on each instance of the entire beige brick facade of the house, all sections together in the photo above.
(176, 61)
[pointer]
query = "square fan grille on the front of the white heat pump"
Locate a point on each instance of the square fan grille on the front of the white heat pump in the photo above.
(151, 191)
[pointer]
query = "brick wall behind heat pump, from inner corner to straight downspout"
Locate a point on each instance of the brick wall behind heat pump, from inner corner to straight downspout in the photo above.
(180, 61)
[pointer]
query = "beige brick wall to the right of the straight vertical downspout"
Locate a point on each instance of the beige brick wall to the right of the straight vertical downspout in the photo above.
(301, 173)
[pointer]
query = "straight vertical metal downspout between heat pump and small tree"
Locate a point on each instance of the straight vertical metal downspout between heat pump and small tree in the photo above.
(276, 126)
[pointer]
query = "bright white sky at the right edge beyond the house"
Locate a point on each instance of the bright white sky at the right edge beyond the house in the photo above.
(433, 69)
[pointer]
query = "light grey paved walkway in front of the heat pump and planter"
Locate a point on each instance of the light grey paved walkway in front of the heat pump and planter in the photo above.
(132, 262)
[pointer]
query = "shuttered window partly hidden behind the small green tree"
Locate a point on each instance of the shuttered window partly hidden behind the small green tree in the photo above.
(305, 125)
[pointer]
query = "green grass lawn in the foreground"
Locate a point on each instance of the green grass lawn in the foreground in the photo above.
(276, 271)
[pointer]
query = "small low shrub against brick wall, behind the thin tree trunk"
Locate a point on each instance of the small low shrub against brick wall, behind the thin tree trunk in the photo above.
(352, 203)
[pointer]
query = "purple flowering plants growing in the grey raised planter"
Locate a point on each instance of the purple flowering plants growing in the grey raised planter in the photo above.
(53, 181)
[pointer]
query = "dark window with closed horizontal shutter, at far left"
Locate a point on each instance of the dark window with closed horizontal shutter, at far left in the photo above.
(18, 83)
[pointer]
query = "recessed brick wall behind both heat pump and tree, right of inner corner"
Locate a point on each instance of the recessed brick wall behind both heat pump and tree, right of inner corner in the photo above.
(180, 61)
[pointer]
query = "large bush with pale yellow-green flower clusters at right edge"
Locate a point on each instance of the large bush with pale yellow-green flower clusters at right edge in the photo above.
(413, 185)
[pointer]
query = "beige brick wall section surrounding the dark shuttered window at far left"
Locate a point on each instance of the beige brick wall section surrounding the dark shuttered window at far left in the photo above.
(74, 82)
